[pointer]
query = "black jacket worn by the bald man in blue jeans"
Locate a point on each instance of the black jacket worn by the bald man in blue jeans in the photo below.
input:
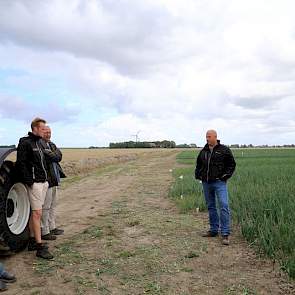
(218, 165)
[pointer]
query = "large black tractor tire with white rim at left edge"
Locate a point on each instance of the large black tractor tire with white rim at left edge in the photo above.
(14, 209)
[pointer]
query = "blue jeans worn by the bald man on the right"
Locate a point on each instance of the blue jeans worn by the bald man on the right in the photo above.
(212, 190)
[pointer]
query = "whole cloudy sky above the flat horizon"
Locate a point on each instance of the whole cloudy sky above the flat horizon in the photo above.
(99, 71)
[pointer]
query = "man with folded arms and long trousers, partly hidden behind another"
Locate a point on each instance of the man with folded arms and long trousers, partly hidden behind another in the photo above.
(53, 156)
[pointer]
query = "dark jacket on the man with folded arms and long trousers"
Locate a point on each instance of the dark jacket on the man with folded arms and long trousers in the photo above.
(53, 156)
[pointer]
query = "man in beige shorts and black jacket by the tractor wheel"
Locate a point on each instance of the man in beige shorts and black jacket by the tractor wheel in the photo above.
(32, 171)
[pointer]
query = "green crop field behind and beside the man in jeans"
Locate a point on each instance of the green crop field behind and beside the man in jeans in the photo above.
(262, 198)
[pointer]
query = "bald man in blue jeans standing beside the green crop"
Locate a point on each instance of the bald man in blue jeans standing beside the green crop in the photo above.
(215, 165)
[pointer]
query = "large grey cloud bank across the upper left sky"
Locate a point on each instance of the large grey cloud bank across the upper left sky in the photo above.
(124, 33)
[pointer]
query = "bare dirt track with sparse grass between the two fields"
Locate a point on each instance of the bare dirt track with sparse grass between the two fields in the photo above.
(124, 236)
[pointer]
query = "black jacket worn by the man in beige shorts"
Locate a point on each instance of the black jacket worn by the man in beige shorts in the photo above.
(30, 163)
